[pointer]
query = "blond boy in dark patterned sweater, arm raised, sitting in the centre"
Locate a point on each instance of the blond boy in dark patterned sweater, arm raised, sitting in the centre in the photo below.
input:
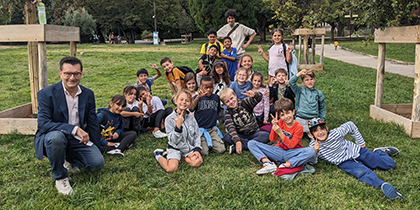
(240, 122)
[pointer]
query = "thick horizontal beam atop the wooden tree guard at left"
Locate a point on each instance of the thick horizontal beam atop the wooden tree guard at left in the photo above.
(38, 32)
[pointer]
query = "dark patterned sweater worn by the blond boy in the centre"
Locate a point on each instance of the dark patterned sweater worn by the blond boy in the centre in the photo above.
(241, 120)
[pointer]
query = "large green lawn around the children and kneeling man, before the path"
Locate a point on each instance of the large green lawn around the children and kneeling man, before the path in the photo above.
(223, 181)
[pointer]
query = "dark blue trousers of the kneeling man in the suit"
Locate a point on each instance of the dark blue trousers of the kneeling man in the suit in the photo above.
(60, 147)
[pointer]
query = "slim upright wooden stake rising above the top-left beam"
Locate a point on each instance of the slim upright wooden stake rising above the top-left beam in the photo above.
(30, 18)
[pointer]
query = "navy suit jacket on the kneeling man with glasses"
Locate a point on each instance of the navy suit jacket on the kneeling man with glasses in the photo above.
(53, 115)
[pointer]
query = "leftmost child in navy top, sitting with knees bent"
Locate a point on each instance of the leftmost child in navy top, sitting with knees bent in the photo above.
(112, 130)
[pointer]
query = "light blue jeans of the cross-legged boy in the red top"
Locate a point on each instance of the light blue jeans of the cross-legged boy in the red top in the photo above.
(295, 157)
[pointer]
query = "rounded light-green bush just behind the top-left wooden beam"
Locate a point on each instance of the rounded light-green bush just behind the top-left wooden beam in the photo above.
(82, 19)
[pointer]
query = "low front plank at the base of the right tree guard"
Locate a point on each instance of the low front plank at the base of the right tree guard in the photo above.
(378, 113)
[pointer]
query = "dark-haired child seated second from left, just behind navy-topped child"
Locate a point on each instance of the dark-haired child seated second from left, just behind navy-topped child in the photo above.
(132, 114)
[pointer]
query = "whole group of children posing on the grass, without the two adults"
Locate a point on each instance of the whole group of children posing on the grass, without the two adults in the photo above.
(217, 93)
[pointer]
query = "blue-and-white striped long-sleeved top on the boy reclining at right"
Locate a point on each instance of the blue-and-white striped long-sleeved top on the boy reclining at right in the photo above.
(336, 149)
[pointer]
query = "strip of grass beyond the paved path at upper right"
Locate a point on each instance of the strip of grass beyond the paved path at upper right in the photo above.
(401, 51)
